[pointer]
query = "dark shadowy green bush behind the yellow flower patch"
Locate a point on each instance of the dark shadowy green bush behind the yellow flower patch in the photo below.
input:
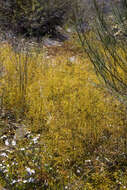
(34, 17)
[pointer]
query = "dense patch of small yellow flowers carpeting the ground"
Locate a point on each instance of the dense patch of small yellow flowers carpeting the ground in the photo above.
(61, 98)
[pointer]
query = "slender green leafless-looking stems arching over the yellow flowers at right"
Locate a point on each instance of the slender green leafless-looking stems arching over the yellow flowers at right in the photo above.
(109, 59)
